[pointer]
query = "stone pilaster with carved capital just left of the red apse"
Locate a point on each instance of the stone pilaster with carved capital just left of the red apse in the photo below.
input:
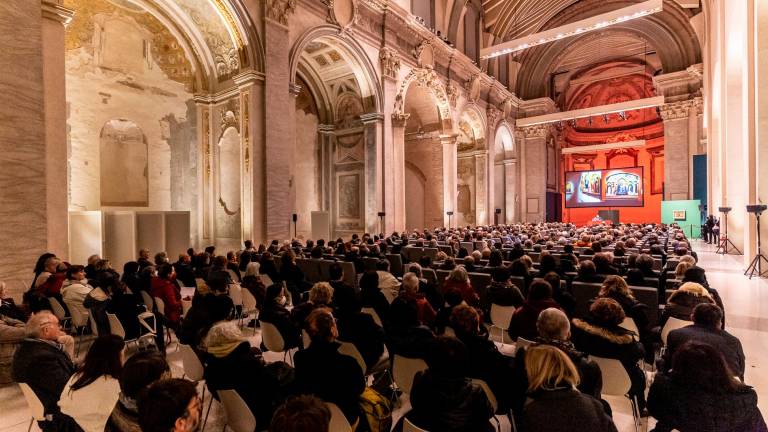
(535, 159)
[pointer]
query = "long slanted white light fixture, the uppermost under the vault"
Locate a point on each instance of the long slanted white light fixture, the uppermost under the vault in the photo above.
(575, 28)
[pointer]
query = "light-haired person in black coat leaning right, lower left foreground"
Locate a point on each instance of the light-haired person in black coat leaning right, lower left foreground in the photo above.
(231, 364)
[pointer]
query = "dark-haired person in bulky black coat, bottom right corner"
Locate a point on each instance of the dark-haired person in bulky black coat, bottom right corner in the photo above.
(701, 395)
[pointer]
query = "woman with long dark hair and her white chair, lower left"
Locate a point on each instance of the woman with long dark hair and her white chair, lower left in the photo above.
(92, 392)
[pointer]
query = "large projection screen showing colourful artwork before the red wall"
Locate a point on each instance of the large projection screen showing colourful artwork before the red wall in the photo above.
(617, 187)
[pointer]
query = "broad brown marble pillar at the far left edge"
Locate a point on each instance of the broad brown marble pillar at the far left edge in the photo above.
(23, 183)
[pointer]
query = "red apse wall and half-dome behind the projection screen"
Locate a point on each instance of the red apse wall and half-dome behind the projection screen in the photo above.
(606, 84)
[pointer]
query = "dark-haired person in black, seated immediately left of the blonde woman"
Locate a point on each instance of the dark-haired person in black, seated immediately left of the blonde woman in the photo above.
(443, 397)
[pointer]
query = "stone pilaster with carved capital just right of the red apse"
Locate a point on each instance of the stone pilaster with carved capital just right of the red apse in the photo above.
(677, 155)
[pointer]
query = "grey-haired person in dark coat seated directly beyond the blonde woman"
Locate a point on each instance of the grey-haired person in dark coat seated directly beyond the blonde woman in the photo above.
(555, 330)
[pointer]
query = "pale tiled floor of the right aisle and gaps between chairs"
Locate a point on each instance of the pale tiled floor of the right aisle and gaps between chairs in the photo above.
(746, 304)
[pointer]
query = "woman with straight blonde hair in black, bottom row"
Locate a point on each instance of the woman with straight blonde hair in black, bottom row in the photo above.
(552, 381)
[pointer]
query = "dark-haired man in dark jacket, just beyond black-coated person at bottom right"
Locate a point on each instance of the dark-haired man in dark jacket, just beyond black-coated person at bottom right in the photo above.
(707, 328)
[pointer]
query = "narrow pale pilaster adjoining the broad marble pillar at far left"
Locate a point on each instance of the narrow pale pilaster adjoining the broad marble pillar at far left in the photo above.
(55, 17)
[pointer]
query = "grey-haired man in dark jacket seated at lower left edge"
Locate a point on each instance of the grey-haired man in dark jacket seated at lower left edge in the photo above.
(42, 363)
